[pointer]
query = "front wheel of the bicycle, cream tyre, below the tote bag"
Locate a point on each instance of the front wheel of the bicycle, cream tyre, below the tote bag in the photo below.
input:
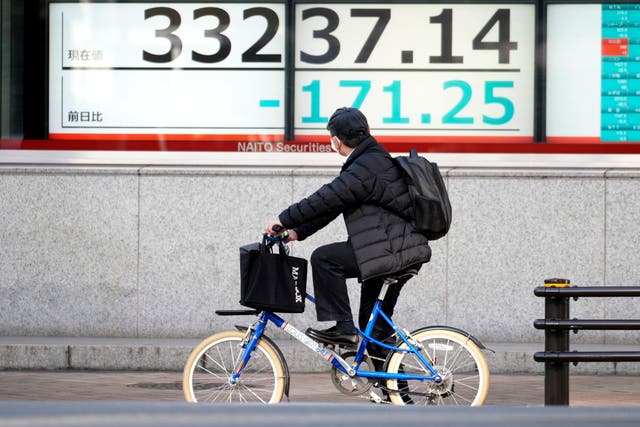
(208, 373)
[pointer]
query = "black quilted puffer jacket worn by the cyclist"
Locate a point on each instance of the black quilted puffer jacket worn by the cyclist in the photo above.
(374, 200)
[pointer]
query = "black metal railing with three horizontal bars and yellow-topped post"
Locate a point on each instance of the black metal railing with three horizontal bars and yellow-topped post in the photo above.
(557, 325)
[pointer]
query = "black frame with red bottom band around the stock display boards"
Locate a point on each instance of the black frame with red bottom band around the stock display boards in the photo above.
(40, 140)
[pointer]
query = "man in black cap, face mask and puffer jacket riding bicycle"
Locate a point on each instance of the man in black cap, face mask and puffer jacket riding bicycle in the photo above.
(374, 200)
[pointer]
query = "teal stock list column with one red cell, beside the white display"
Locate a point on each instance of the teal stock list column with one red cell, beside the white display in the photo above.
(620, 99)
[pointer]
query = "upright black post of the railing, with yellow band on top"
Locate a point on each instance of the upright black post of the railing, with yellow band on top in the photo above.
(556, 378)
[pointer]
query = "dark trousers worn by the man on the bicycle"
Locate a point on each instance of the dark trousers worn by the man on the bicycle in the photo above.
(332, 265)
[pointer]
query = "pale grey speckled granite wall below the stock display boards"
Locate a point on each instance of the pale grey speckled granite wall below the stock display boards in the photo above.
(151, 252)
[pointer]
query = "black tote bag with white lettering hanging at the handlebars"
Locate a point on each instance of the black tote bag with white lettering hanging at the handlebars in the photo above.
(272, 281)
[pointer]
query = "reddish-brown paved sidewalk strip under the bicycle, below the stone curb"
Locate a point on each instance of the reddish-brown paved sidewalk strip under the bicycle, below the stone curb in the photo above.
(506, 390)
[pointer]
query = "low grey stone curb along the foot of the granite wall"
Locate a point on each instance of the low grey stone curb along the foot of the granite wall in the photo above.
(148, 354)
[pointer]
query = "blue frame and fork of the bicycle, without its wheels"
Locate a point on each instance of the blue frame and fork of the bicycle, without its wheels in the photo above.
(350, 369)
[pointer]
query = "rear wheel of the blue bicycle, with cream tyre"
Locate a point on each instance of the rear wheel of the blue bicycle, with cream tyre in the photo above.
(458, 360)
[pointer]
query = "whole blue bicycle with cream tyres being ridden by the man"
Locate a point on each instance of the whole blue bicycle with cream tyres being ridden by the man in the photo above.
(436, 365)
